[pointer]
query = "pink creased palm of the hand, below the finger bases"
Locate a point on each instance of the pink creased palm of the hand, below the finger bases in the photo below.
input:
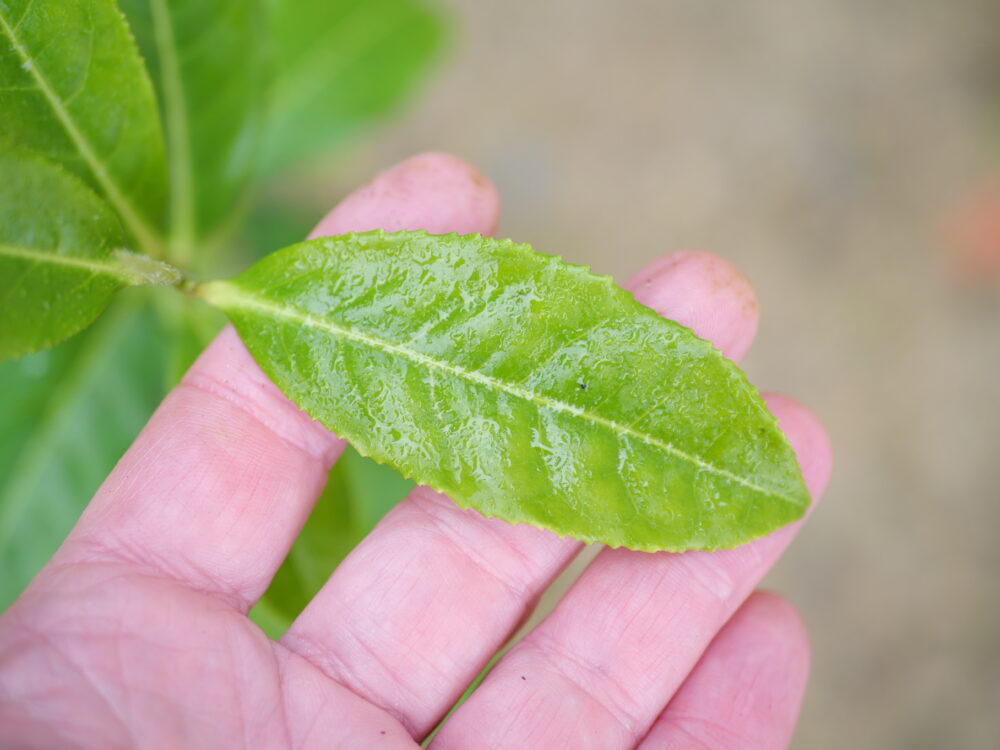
(150, 662)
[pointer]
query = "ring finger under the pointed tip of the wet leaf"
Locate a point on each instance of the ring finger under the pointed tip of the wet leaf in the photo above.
(600, 668)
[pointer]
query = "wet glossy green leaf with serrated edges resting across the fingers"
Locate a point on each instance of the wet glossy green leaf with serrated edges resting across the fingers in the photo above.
(523, 387)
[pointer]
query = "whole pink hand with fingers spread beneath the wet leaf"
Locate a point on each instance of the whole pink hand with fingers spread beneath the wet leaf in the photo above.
(135, 634)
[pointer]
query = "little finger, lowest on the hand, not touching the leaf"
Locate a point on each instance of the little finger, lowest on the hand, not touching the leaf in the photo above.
(747, 688)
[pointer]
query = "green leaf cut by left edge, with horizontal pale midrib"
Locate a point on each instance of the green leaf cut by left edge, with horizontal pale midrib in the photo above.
(58, 264)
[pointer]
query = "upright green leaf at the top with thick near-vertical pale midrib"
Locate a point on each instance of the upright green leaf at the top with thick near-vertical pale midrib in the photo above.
(206, 58)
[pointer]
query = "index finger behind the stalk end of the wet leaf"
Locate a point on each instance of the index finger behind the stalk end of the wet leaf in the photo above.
(218, 484)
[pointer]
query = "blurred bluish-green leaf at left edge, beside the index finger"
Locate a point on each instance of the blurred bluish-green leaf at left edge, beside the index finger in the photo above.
(75, 410)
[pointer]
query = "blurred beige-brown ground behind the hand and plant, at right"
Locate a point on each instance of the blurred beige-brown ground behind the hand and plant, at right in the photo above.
(823, 147)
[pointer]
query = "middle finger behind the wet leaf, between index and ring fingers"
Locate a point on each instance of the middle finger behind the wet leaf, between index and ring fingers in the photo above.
(413, 614)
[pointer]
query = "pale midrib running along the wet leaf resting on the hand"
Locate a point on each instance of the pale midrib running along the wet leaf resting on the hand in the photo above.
(228, 295)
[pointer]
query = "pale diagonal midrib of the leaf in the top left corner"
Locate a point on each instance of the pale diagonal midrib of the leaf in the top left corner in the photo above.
(129, 215)
